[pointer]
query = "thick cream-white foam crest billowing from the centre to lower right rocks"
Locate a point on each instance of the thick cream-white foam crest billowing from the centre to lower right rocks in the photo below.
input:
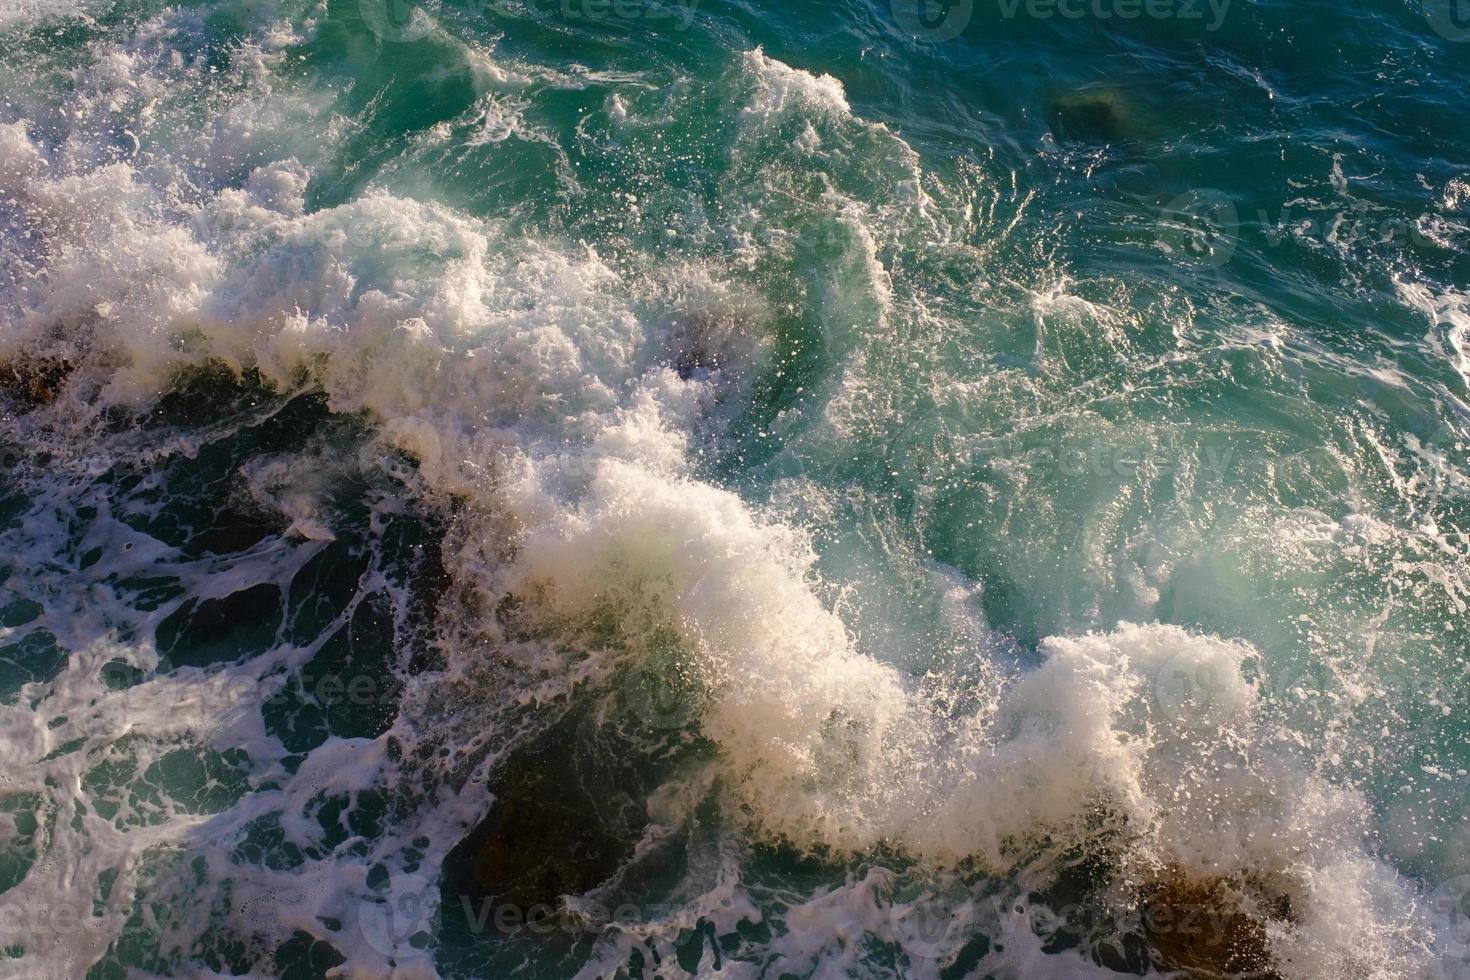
(1152, 728)
